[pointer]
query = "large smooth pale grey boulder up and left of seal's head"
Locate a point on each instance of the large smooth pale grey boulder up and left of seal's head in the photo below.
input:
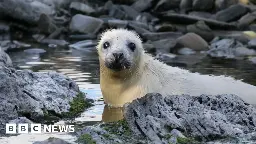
(85, 24)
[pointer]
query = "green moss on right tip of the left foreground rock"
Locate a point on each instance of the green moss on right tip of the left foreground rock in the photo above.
(77, 106)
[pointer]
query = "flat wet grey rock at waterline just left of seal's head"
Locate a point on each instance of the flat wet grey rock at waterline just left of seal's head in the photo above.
(84, 45)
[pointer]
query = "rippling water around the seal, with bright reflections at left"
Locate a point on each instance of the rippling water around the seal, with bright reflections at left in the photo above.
(83, 68)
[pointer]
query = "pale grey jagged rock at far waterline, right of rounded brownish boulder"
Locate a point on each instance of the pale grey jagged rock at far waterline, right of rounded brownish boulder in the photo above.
(224, 48)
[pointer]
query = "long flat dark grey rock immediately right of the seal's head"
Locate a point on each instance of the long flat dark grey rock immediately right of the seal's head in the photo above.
(161, 35)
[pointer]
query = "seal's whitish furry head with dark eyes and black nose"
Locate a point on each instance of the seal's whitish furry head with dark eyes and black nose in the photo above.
(119, 49)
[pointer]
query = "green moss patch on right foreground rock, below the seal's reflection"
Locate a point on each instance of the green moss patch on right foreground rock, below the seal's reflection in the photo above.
(118, 128)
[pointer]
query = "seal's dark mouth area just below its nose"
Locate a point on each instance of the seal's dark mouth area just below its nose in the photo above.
(118, 65)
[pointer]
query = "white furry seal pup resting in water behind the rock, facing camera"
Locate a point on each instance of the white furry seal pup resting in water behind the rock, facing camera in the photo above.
(127, 72)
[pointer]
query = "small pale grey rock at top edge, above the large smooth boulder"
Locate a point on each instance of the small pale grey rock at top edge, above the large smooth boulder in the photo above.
(81, 7)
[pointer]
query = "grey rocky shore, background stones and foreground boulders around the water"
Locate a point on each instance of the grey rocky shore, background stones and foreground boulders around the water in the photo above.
(222, 29)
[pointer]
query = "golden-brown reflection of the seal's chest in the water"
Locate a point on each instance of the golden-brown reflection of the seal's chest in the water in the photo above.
(111, 114)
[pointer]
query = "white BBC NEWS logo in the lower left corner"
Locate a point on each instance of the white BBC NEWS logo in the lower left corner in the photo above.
(38, 128)
